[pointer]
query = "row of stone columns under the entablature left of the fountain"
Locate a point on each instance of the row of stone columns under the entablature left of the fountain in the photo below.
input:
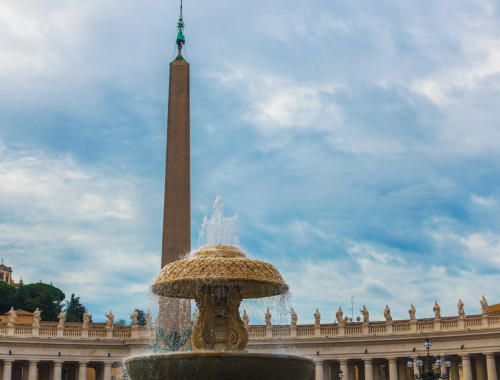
(57, 369)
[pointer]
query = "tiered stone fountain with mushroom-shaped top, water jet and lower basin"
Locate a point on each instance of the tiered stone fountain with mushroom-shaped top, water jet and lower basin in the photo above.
(218, 278)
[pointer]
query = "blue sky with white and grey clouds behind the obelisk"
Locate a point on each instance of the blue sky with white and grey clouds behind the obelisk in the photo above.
(356, 141)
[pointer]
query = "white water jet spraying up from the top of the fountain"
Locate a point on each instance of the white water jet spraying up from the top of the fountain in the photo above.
(219, 229)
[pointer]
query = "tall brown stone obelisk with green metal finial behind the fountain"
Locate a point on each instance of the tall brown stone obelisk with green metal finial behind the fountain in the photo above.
(177, 208)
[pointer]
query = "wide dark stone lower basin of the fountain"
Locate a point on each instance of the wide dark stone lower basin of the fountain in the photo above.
(208, 365)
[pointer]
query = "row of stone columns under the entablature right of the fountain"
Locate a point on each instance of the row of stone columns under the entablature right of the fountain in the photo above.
(463, 367)
